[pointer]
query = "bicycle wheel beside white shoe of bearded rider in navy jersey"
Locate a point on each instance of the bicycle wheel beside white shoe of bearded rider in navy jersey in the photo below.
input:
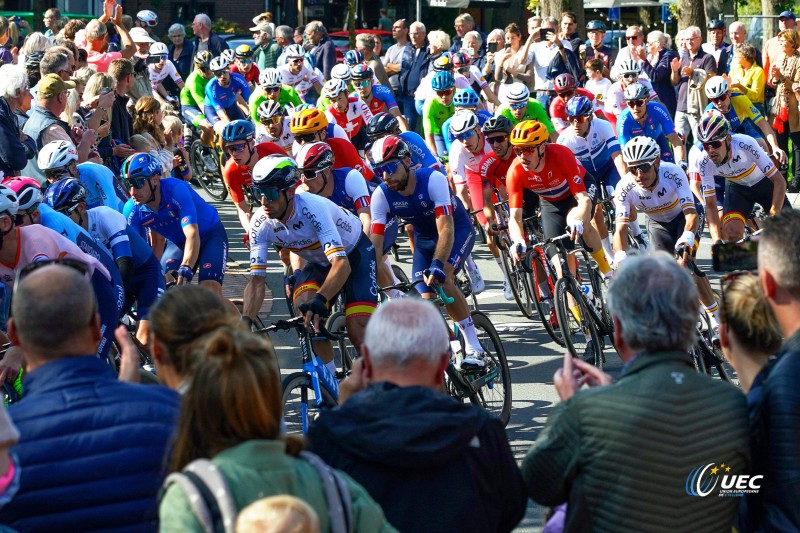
(495, 394)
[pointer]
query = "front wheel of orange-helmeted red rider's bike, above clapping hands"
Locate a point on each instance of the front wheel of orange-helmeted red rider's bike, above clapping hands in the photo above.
(576, 323)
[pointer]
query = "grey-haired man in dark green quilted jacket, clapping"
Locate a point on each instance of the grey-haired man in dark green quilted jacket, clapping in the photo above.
(598, 433)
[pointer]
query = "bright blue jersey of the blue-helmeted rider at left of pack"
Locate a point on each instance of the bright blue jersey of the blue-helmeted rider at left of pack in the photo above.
(180, 206)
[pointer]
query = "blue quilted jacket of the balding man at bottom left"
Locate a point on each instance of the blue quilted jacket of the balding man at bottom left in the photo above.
(92, 449)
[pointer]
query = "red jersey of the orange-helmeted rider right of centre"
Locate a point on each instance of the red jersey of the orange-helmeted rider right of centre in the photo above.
(561, 177)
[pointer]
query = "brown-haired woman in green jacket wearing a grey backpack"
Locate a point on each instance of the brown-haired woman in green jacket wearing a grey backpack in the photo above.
(253, 456)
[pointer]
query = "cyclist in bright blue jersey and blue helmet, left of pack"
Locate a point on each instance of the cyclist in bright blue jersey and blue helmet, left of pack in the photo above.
(172, 210)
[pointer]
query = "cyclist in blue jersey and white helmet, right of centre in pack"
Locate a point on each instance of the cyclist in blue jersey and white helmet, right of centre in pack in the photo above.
(651, 119)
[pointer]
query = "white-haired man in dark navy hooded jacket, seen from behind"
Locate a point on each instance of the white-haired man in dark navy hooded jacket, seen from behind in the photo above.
(406, 442)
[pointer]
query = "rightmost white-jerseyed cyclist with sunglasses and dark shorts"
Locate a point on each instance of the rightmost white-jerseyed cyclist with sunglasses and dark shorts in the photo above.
(751, 176)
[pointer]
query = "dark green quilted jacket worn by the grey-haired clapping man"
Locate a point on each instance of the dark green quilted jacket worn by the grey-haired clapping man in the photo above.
(620, 455)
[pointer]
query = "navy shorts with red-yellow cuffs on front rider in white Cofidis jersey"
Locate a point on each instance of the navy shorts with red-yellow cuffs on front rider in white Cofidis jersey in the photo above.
(361, 288)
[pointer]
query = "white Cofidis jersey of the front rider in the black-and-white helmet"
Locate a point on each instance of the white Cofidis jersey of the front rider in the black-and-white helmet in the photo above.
(318, 230)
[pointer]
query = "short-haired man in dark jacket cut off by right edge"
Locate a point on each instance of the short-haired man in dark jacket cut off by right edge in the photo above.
(778, 249)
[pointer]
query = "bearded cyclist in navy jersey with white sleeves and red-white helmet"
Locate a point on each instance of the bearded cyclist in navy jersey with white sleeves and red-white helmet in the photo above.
(444, 235)
